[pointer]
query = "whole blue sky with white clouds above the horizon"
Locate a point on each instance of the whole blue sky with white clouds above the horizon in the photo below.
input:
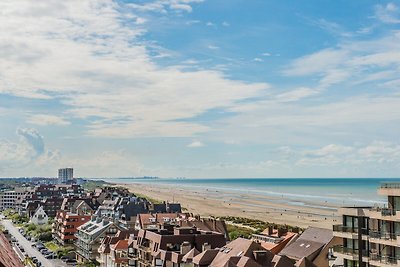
(200, 88)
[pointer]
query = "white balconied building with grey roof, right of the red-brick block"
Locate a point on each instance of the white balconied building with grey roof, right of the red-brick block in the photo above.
(90, 235)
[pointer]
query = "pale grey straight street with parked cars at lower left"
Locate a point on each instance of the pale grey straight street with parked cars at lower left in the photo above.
(27, 245)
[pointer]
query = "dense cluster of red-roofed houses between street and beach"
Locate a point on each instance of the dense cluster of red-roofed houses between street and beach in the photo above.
(114, 228)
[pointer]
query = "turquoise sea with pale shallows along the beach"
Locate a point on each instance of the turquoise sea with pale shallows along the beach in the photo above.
(294, 191)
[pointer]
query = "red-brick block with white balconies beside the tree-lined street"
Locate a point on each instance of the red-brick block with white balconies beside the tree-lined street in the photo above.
(67, 222)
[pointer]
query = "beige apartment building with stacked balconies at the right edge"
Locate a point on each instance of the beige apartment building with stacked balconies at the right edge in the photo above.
(370, 236)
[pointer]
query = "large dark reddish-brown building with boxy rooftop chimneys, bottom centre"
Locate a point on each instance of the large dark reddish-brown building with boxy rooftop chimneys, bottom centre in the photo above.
(169, 245)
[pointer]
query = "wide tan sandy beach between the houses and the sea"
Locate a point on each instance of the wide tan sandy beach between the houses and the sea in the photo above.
(220, 203)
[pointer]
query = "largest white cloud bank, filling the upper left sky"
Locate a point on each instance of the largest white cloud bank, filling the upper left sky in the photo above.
(108, 77)
